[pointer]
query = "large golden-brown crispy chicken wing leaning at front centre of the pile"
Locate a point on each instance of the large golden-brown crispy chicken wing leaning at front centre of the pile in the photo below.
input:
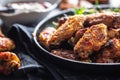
(92, 40)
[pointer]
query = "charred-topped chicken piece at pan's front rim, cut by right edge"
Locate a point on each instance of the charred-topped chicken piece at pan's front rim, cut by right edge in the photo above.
(111, 53)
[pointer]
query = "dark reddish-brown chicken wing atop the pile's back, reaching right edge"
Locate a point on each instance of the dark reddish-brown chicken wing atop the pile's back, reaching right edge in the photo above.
(111, 19)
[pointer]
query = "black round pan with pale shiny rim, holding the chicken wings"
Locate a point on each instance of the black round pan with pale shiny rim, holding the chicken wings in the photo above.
(67, 63)
